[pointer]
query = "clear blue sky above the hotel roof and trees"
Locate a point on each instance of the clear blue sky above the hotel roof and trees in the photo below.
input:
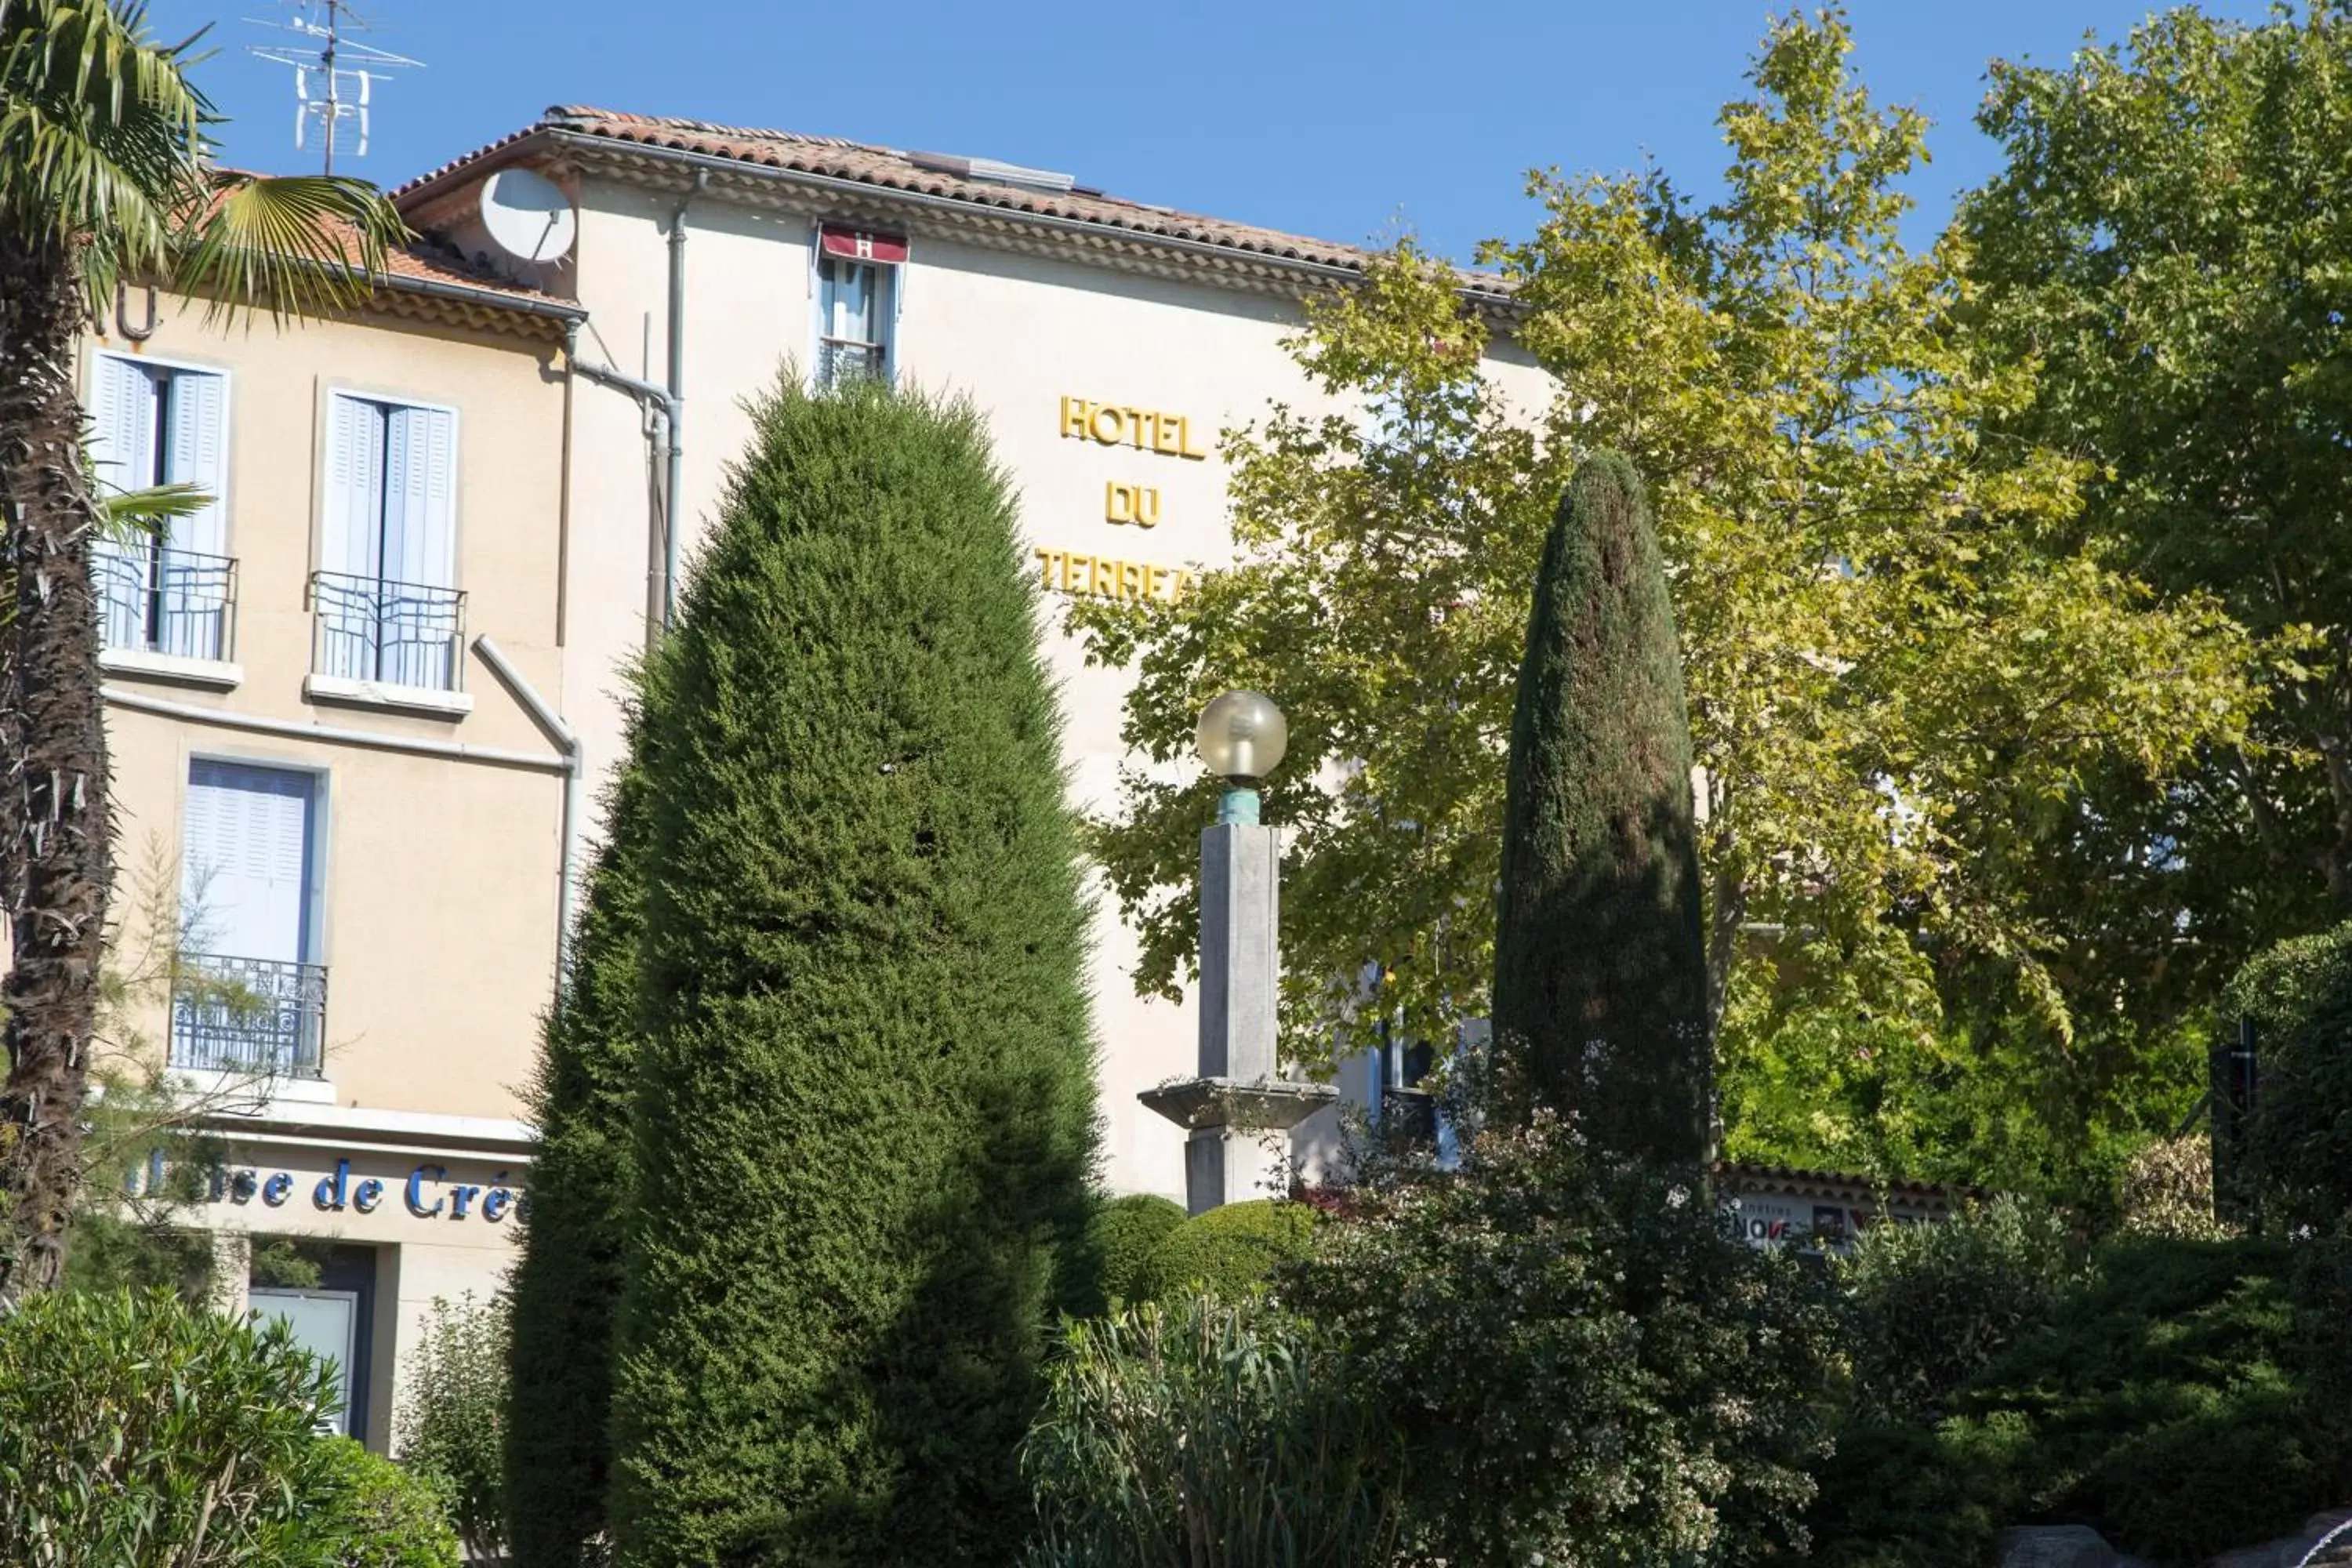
(1316, 116)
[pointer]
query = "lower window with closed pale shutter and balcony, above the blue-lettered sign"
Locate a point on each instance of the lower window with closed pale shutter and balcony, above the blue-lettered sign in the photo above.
(246, 993)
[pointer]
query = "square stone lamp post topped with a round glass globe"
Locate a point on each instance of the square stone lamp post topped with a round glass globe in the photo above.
(1236, 1111)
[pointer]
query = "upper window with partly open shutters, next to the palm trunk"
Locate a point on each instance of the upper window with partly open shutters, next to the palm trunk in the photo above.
(175, 591)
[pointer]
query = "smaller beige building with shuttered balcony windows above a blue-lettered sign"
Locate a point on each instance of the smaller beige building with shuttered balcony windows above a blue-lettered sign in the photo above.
(342, 779)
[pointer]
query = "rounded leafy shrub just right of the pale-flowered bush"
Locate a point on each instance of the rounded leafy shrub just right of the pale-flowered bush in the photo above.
(1937, 1304)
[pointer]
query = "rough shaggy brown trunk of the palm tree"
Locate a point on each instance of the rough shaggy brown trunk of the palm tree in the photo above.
(55, 831)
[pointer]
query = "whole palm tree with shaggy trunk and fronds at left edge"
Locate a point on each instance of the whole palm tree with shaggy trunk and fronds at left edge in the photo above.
(105, 177)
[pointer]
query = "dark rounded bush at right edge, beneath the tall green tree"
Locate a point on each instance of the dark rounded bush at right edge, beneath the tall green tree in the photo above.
(2301, 1132)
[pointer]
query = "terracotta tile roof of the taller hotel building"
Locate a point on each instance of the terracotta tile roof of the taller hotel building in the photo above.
(909, 173)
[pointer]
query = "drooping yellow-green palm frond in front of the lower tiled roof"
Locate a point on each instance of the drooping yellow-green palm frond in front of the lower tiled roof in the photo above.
(290, 246)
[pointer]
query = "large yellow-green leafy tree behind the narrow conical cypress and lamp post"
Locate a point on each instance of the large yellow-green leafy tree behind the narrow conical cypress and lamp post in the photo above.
(1883, 619)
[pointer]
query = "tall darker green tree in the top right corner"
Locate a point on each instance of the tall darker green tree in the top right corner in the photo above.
(2167, 250)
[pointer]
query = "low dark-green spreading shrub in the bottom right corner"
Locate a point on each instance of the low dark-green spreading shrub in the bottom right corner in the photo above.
(2181, 1398)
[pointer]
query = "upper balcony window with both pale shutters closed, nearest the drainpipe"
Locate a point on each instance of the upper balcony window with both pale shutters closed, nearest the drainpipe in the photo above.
(385, 598)
